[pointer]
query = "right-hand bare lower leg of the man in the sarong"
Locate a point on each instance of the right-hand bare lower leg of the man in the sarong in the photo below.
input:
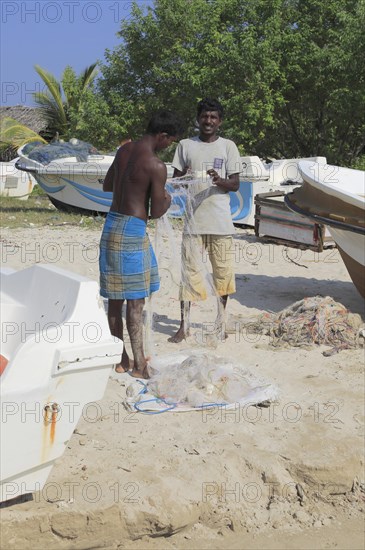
(135, 331)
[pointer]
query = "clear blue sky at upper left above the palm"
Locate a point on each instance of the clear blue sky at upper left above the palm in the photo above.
(53, 34)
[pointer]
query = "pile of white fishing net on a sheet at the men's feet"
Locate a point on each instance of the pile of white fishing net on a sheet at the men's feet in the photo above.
(197, 380)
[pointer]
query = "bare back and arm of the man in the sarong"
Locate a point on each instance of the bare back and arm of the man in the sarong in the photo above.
(136, 177)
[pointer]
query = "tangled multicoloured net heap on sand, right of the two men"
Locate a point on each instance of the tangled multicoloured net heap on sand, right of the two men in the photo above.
(315, 320)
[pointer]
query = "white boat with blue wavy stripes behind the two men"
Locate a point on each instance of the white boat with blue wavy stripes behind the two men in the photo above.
(72, 175)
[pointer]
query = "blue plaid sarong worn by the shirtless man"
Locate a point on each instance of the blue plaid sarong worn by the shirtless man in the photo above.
(127, 262)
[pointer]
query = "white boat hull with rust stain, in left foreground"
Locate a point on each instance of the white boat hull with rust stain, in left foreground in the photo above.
(60, 353)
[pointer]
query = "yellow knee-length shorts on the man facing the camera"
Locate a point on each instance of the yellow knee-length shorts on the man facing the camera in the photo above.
(196, 277)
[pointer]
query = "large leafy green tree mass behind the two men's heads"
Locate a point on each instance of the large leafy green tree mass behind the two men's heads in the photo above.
(289, 73)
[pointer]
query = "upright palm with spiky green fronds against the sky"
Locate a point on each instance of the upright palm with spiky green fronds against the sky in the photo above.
(62, 101)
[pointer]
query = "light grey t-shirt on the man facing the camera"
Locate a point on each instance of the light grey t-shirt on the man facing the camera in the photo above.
(212, 212)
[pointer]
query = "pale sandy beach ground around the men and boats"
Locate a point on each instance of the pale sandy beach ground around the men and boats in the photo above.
(290, 475)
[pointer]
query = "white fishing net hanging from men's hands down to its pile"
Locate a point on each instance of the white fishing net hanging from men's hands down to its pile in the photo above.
(197, 378)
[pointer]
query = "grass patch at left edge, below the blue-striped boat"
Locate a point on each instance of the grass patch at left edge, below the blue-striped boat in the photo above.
(38, 211)
